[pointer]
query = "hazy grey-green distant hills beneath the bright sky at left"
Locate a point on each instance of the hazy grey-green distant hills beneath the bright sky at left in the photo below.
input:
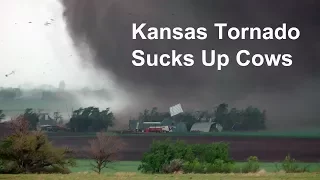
(14, 101)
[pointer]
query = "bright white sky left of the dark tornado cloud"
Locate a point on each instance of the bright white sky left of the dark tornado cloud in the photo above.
(39, 53)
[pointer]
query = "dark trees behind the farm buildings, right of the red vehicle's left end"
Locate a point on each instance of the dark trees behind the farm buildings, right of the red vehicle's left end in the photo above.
(231, 119)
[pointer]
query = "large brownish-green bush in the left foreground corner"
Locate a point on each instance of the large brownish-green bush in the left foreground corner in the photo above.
(31, 152)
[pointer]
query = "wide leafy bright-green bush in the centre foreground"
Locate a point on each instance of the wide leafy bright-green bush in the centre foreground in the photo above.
(196, 157)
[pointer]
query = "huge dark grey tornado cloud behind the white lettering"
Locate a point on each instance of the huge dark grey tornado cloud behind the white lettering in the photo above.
(106, 26)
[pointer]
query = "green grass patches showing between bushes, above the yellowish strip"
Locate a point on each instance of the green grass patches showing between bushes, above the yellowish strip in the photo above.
(132, 166)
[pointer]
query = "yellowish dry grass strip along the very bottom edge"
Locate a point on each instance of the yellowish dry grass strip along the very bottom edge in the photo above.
(137, 176)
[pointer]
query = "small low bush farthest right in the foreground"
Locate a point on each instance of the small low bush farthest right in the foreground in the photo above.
(290, 165)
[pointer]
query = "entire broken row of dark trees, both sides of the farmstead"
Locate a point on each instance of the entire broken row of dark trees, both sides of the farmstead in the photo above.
(93, 119)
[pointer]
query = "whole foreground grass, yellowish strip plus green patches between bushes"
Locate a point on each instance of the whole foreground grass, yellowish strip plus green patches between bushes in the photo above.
(128, 170)
